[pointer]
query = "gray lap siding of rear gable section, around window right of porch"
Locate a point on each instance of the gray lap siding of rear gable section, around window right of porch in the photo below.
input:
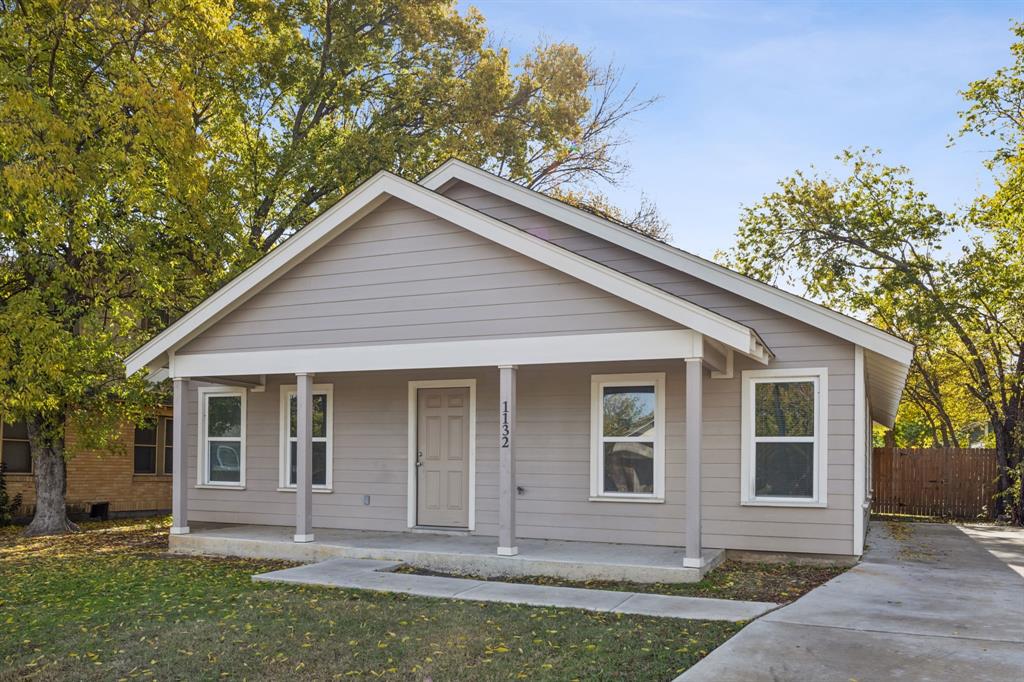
(796, 345)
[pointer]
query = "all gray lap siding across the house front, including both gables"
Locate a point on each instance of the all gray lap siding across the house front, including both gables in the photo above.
(403, 276)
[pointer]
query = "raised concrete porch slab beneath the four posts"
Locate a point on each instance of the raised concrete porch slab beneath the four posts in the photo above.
(470, 555)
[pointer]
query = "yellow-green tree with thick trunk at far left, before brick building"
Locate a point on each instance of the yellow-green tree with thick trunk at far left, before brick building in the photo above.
(100, 176)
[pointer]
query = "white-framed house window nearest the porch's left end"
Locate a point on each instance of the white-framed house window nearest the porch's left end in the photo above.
(223, 438)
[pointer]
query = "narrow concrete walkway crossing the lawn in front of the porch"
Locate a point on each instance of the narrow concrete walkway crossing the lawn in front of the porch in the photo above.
(370, 575)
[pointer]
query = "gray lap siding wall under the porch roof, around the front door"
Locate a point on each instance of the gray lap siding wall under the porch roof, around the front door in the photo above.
(371, 457)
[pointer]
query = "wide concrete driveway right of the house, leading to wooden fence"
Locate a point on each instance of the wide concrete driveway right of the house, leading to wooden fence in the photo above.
(928, 603)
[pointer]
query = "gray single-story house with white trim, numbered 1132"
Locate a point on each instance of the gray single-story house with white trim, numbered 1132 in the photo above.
(464, 356)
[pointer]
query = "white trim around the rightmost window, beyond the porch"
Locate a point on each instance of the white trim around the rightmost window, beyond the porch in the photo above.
(748, 462)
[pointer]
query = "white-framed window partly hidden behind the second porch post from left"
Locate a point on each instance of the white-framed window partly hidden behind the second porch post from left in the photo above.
(323, 428)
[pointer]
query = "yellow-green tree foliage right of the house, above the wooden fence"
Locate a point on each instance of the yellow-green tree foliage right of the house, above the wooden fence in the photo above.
(873, 245)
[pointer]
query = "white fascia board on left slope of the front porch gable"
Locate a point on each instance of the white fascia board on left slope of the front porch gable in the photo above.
(355, 205)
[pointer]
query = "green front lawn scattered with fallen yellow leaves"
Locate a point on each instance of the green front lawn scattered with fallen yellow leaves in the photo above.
(109, 604)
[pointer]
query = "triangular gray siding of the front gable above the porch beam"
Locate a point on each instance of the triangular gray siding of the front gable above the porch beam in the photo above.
(402, 275)
